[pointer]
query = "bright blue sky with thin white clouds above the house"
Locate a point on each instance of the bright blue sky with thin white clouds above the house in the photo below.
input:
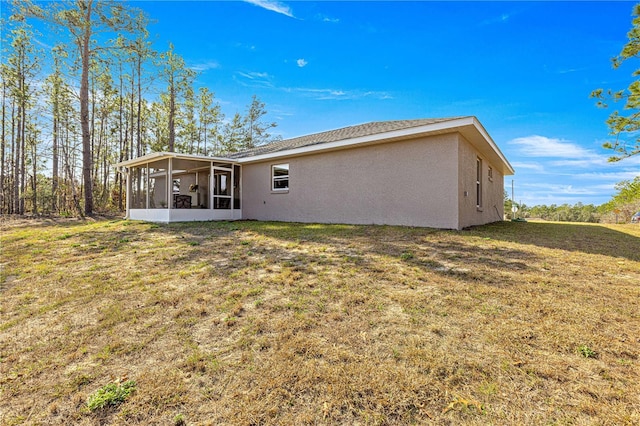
(524, 69)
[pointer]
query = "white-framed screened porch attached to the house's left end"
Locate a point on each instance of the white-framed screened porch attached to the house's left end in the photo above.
(170, 187)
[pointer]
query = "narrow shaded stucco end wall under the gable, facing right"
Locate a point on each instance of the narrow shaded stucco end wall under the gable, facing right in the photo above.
(492, 209)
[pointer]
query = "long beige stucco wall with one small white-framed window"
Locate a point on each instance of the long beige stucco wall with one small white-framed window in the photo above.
(411, 183)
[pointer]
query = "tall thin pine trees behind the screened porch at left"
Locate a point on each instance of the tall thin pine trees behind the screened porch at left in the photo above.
(71, 110)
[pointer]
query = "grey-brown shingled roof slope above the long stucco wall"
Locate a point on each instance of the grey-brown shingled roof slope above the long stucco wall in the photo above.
(344, 133)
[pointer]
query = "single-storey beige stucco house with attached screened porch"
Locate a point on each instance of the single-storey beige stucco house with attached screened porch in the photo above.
(441, 173)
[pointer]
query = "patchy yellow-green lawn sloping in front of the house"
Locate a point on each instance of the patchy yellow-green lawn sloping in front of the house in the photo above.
(273, 323)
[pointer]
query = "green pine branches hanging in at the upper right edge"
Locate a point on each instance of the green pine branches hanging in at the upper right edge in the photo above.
(623, 127)
